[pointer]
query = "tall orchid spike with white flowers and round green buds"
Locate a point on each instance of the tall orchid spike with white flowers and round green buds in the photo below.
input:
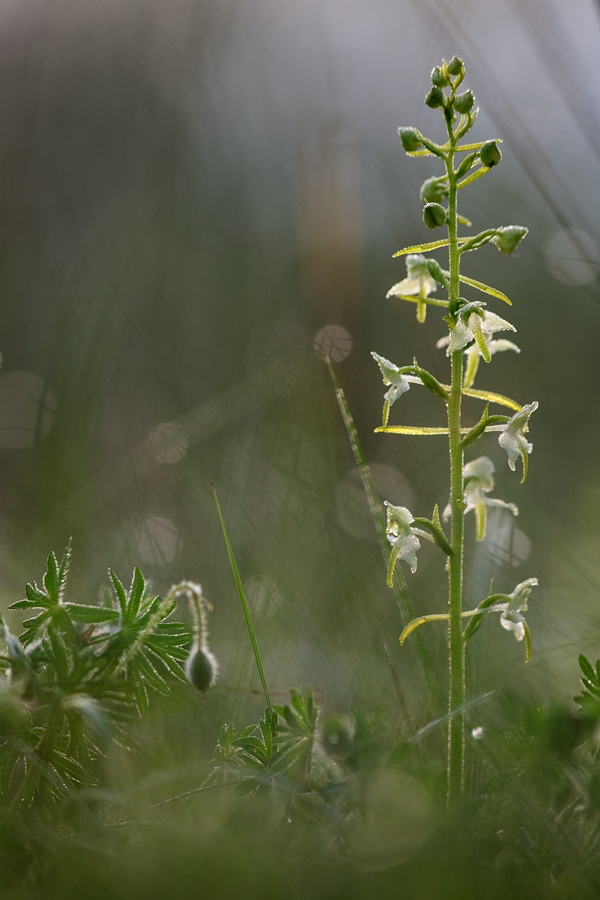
(471, 329)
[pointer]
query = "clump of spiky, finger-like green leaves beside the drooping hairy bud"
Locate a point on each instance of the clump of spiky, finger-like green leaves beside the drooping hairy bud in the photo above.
(76, 679)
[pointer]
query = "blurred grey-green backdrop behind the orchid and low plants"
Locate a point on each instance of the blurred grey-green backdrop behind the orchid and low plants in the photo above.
(189, 194)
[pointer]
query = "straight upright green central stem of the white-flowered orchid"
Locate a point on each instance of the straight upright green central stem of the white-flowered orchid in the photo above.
(455, 579)
